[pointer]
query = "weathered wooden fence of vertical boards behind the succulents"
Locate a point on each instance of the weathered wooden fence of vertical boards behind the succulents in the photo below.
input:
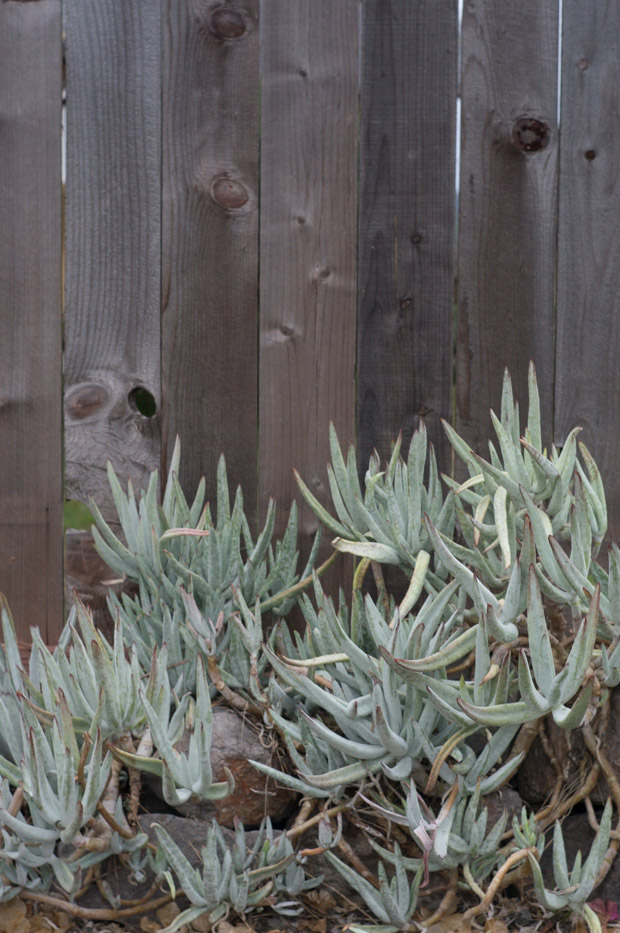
(259, 230)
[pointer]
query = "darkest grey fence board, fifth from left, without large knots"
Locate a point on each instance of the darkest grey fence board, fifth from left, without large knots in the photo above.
(406, 221)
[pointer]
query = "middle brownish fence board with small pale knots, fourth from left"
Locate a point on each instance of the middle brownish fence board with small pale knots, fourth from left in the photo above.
(309, 75)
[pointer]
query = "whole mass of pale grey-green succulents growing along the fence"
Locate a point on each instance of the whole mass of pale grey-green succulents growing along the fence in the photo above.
(404, 714)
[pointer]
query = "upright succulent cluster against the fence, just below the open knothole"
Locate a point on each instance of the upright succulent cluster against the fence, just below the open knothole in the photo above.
(176, 551)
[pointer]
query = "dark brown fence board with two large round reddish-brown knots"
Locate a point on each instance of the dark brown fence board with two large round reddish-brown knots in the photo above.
(210, 240)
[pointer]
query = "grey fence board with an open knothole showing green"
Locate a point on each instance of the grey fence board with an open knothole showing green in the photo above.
(113, 206)
